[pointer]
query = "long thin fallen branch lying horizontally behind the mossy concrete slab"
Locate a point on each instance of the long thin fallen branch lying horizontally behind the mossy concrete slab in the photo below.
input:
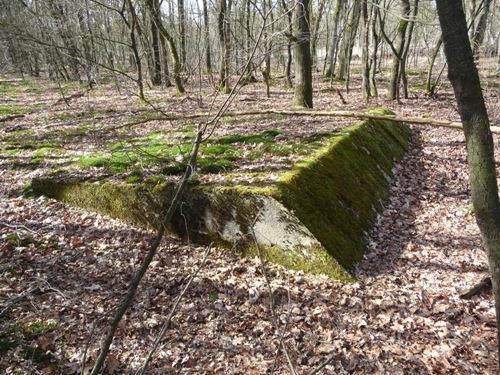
(348, 114)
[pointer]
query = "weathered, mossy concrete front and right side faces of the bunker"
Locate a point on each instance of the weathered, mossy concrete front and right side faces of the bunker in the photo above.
(314, 218)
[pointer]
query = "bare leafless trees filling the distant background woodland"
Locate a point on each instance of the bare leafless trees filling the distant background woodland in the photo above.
(152, 42)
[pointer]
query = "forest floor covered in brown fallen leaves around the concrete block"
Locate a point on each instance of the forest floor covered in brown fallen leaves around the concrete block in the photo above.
(70, 267)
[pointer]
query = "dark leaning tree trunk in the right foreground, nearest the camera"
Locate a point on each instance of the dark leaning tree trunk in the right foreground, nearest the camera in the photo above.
(466, 84)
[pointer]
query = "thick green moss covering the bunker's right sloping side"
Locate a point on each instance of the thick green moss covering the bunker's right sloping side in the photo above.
(337, 192)
